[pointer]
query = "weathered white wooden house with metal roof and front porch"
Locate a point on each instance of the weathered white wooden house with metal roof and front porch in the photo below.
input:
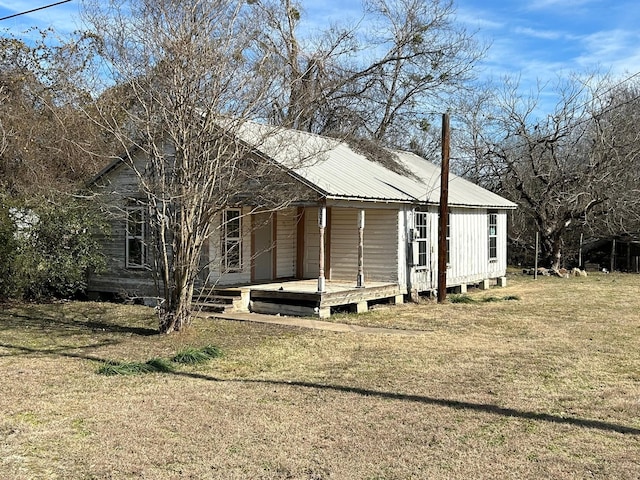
(366, 230)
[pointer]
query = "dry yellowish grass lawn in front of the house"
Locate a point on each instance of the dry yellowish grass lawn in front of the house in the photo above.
(546, 385)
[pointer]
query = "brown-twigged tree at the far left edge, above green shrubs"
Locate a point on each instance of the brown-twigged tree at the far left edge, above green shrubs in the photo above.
(43, 132)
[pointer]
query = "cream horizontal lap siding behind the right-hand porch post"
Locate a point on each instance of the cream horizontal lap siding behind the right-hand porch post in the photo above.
(380, 244)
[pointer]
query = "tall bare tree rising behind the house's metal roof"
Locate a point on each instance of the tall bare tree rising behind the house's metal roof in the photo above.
(373, 79)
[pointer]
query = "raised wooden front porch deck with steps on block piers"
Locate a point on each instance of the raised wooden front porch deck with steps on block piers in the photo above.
(301, 297)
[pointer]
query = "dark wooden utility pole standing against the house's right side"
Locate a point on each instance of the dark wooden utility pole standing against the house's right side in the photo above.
(444, 211)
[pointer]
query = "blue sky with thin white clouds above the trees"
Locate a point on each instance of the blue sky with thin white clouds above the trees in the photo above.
(534, 40)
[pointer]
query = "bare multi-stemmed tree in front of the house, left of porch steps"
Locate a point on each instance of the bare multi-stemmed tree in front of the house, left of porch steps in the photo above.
(190, 76)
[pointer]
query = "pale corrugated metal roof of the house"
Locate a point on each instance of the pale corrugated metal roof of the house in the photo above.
(339, 172)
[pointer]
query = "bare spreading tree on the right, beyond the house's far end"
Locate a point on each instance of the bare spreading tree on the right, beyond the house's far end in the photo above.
(557, 168)
